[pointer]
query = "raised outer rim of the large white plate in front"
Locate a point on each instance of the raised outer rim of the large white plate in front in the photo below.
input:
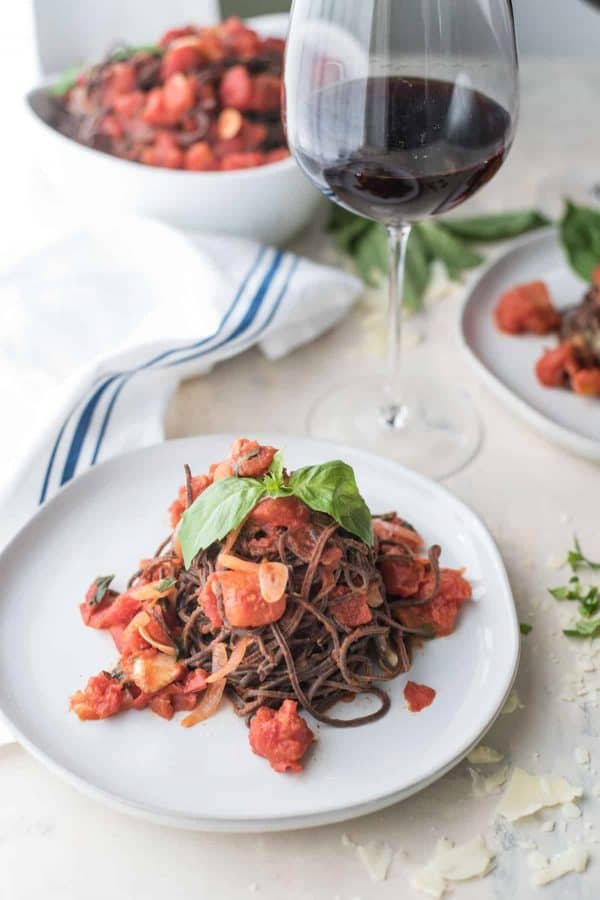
(254, 823)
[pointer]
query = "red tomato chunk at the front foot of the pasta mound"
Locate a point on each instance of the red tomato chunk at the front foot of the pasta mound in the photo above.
(281, 736)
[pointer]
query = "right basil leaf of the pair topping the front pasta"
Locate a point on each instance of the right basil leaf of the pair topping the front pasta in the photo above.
(331, 488)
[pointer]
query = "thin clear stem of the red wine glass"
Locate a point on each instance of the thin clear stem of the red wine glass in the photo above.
(392, 409)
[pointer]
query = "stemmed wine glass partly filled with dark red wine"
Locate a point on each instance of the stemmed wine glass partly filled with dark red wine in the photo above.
(399, 110)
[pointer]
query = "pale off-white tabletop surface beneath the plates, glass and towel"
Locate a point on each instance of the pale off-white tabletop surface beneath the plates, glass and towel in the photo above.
(57, 844)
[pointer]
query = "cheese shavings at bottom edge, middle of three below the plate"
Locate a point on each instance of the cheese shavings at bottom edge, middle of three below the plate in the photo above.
(452, 863)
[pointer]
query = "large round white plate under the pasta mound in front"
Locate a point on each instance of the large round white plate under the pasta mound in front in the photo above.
(208, 778)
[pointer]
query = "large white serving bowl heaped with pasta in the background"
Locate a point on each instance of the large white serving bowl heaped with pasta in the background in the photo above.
(269, 203)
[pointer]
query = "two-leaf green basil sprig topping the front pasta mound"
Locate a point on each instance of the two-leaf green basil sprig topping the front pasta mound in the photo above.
(329, 488)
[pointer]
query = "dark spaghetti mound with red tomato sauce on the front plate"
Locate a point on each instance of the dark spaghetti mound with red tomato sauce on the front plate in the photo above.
(288, 608)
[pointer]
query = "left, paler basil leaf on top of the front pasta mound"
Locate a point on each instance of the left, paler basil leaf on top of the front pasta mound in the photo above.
(217, 511)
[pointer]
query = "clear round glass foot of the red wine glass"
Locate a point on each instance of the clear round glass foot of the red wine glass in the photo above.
(437, 433)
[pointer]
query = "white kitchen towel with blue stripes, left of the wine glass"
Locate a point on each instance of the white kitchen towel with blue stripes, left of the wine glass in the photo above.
(97, 330)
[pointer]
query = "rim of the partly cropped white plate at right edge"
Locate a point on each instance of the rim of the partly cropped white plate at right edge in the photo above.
(561, 436)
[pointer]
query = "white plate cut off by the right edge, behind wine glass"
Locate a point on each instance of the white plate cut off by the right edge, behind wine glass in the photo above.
(506, 363)
